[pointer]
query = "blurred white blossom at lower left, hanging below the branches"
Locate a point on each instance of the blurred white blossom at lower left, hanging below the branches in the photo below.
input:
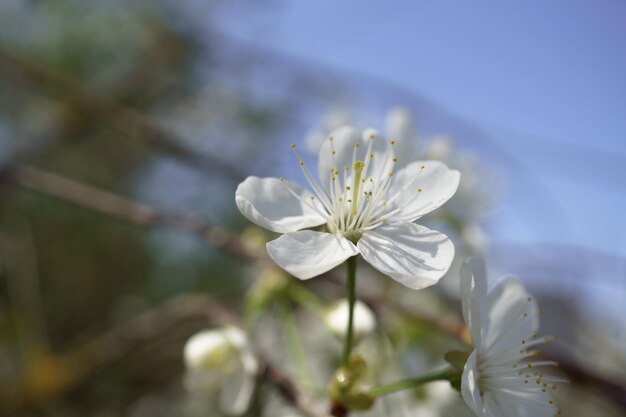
(221, 361)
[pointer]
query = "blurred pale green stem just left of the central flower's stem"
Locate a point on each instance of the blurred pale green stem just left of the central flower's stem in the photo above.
(293, 343)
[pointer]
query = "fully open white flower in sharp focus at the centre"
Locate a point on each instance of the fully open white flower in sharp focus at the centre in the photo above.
(367, 205)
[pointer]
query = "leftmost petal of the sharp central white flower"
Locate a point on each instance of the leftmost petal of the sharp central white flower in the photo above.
(268, 203)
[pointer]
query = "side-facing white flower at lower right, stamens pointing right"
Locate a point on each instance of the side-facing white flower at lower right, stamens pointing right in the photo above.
(500, 378)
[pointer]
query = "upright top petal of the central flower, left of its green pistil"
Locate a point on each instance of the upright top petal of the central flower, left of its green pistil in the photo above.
(336, 153)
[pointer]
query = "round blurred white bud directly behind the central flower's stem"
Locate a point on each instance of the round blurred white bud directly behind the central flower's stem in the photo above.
(336, 320)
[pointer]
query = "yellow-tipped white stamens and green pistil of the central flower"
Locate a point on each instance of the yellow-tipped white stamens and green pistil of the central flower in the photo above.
(357, 198)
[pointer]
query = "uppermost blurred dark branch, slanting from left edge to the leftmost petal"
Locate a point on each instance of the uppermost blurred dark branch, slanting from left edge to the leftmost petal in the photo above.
(124, 120)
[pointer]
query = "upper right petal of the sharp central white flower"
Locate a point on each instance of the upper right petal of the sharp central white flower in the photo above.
(422, 190)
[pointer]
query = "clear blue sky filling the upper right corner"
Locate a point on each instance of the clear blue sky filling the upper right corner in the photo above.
(552, 72)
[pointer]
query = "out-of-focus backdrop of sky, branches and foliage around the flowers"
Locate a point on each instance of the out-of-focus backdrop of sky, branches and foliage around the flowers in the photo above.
(125, 128)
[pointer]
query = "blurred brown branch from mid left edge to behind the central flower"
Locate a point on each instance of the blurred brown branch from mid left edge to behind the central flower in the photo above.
(119, 207)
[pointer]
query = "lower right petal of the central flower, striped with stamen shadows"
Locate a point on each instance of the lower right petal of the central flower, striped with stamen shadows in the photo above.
(409, 253)
